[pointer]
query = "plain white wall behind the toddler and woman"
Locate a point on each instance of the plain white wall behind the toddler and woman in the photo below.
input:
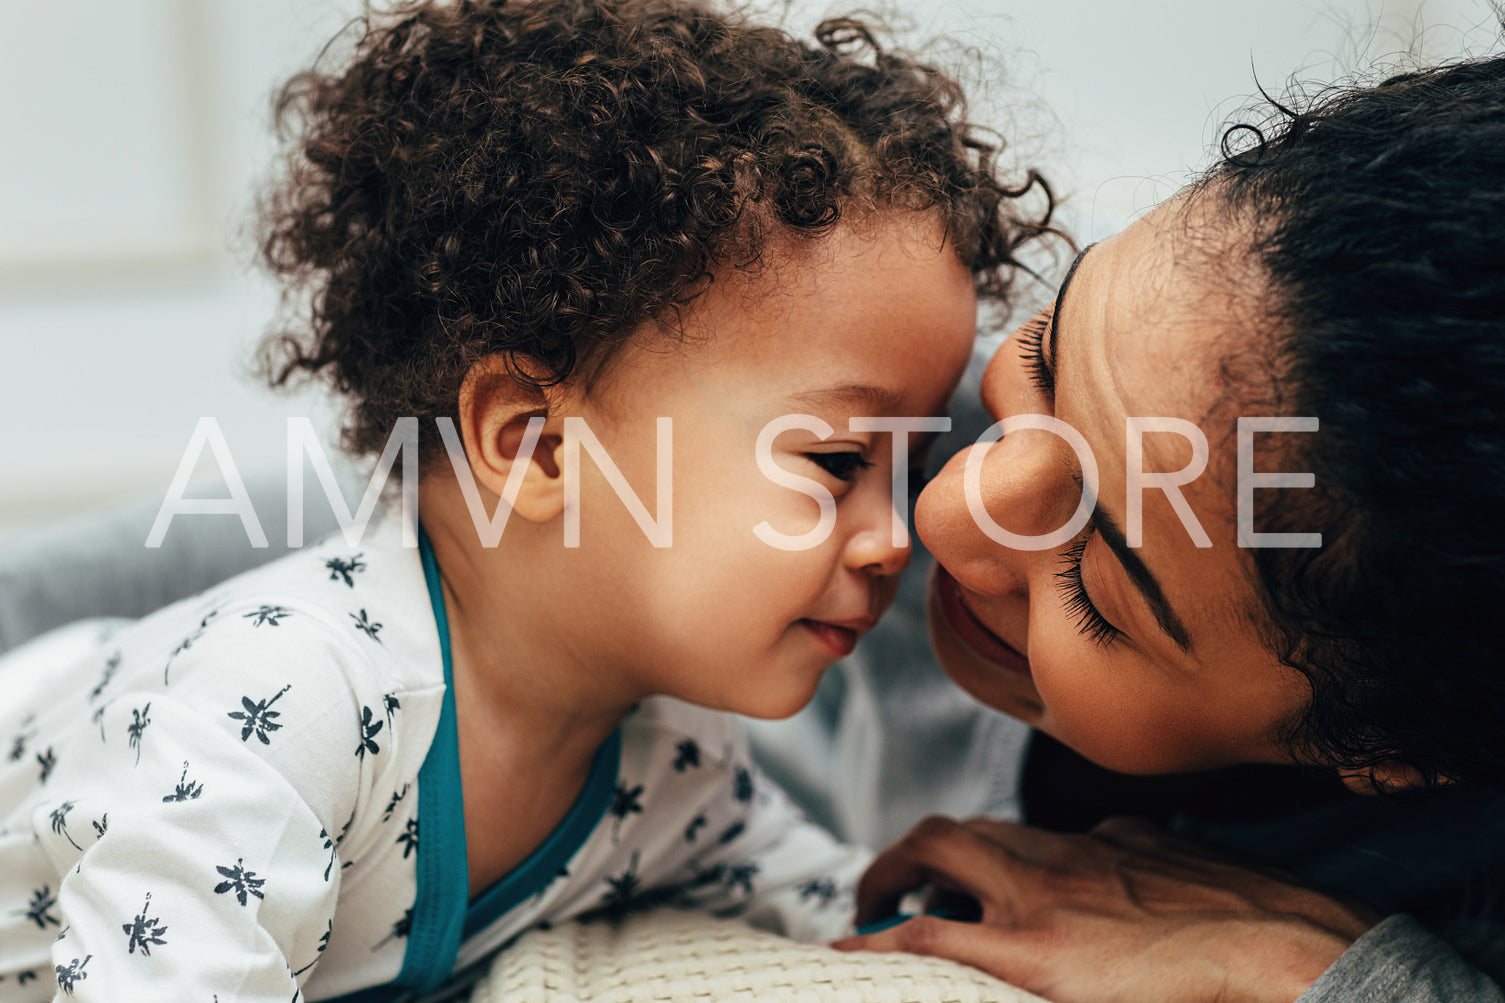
(133, 135)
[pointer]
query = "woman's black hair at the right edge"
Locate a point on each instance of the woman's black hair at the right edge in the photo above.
(1379, 219)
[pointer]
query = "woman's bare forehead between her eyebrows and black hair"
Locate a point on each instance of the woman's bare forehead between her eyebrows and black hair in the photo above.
(1146, 331)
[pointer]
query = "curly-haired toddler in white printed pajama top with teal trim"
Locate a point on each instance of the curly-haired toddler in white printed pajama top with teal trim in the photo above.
(600, 251)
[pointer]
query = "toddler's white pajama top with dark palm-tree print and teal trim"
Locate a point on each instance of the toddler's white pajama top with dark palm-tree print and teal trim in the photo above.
(255, 794)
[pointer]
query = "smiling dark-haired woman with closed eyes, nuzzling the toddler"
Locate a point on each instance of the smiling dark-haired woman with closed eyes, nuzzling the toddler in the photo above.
(1342, 270)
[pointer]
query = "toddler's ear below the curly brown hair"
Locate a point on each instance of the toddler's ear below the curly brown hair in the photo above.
(496, 409)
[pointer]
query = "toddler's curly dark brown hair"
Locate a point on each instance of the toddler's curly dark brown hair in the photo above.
(538, 180)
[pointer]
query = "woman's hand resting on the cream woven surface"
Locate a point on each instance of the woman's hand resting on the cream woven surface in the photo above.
(1125, 913)
